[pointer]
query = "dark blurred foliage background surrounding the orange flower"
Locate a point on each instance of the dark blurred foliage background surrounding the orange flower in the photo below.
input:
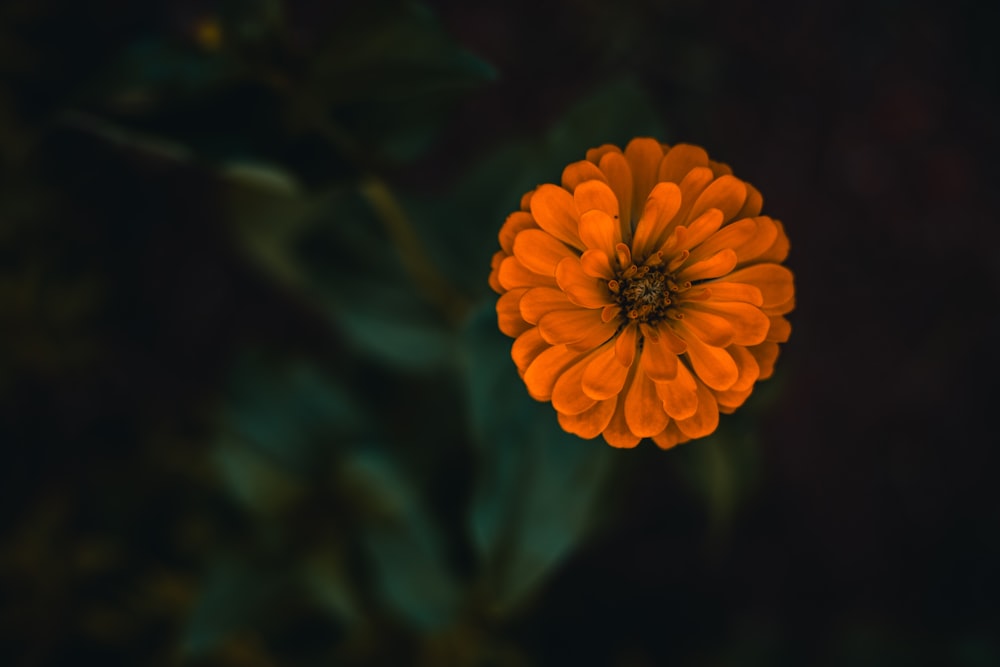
(254, 408)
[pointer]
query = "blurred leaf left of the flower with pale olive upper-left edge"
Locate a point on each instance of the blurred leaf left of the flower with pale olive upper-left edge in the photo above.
(326, 248)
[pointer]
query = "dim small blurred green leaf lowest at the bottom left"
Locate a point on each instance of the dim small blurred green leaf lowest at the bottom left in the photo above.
(235, 593)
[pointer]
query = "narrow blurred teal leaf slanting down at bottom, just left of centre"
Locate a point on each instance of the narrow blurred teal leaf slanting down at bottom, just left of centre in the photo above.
(405, 549)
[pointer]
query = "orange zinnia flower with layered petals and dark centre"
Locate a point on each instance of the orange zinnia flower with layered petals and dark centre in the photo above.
(645, 294)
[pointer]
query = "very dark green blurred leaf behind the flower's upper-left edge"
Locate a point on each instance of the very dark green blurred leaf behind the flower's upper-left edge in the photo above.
(461, 229)
